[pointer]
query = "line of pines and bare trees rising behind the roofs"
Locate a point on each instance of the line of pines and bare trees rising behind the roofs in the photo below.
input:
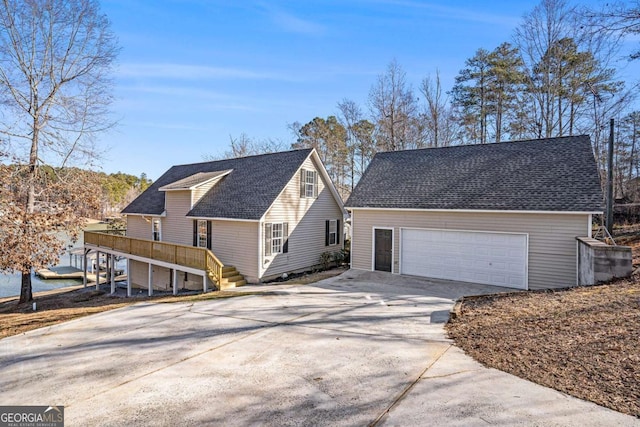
(557, 77)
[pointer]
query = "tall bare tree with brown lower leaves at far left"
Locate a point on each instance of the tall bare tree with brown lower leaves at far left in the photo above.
(55, 63)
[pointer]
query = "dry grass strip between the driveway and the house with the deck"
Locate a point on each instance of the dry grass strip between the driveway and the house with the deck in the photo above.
(64, 304)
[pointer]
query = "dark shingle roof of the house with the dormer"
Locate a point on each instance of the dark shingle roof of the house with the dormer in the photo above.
(245, 193)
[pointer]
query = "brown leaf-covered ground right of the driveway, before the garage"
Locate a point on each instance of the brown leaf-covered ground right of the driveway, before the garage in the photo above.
(580, 341)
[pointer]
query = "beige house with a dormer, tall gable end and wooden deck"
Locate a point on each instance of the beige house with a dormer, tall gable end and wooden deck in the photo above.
(265, 215)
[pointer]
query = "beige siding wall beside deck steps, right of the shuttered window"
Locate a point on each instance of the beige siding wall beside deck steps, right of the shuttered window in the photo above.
(236, 243)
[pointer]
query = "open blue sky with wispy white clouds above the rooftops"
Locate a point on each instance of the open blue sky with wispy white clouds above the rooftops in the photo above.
(193, 72)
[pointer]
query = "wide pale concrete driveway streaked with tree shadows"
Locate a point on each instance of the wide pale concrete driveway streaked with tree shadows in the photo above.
(359, 349)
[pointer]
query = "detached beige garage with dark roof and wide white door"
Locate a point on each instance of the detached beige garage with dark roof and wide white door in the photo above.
(504, 214)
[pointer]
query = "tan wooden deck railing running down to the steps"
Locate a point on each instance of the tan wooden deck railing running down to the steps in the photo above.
(188, 256)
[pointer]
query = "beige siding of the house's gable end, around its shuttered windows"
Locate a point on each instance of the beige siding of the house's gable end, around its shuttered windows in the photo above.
(306, 222)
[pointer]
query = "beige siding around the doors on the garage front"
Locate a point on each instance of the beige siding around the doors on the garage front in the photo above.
(552, 243)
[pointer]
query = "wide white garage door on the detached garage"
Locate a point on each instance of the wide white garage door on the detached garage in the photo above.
(498, 259)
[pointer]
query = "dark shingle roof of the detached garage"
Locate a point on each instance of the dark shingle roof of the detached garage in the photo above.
(553, 174)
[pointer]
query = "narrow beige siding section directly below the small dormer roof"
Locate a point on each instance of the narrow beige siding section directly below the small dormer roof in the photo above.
(176, 227)
